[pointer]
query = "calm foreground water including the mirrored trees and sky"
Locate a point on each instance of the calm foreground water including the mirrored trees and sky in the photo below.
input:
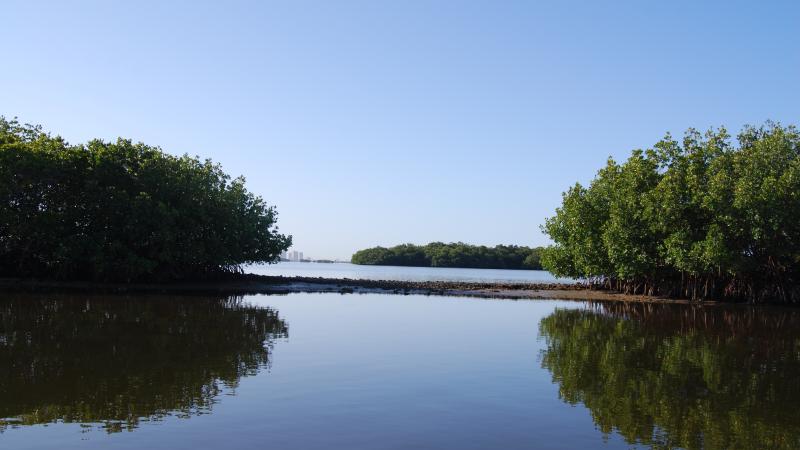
(308, 371)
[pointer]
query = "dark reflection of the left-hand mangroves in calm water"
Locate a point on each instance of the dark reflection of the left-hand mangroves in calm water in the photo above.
(115, 361)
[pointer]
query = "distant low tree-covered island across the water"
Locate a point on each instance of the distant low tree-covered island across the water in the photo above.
(457, 254)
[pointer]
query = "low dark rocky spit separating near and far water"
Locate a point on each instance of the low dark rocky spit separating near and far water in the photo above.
(247, 284)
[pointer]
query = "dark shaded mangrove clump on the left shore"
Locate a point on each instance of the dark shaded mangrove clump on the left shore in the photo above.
(123, 211)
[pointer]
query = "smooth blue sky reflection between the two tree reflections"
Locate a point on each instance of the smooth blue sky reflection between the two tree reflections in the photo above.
(377, 371)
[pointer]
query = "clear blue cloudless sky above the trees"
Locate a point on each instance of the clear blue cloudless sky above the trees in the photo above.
(369, 122)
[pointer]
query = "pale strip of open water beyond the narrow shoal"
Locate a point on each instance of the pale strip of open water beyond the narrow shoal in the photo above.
(354, 271)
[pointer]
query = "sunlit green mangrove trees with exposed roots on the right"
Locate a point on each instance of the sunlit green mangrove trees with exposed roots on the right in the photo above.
(701, 218)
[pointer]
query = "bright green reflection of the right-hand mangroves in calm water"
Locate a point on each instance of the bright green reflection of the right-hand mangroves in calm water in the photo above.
(670, 376)
